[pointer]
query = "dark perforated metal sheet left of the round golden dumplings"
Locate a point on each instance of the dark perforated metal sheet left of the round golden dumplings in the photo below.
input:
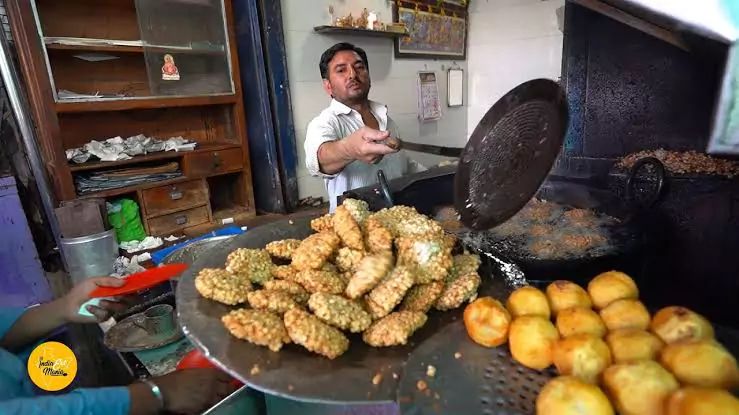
(469, 379)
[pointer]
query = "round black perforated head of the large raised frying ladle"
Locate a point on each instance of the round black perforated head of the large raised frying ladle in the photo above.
(510, 153)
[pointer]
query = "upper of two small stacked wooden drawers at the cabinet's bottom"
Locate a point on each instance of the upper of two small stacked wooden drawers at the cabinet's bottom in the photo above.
(167, 199)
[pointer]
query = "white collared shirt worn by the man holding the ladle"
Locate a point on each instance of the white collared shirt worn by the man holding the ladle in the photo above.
(338, 121)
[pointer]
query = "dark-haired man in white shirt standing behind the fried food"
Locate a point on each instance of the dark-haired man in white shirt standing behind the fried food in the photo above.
(344, 143)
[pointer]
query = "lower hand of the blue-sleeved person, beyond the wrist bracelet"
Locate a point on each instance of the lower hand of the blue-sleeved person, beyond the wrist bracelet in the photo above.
(191, 391)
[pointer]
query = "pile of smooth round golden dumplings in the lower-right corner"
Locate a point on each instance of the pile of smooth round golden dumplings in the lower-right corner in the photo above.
(609, 351)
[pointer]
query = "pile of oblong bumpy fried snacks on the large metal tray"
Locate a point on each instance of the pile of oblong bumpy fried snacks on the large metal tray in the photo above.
(378, 274)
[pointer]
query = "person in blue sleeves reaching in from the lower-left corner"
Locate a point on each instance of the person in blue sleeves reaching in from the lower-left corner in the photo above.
(183, 391)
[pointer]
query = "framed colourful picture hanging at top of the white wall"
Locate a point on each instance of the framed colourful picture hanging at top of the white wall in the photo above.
(435, 32)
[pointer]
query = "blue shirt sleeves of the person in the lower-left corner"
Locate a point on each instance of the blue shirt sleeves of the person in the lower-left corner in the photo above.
(18, 396)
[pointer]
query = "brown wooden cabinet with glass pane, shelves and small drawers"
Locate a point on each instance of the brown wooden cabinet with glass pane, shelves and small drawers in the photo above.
(96, 70)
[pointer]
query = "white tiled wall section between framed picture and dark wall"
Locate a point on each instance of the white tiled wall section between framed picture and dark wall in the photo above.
(510, 42)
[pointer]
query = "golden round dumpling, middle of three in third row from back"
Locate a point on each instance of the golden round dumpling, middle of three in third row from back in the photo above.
(632, 345)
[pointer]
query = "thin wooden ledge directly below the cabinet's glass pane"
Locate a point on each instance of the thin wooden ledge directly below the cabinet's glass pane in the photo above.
(123, 104)
